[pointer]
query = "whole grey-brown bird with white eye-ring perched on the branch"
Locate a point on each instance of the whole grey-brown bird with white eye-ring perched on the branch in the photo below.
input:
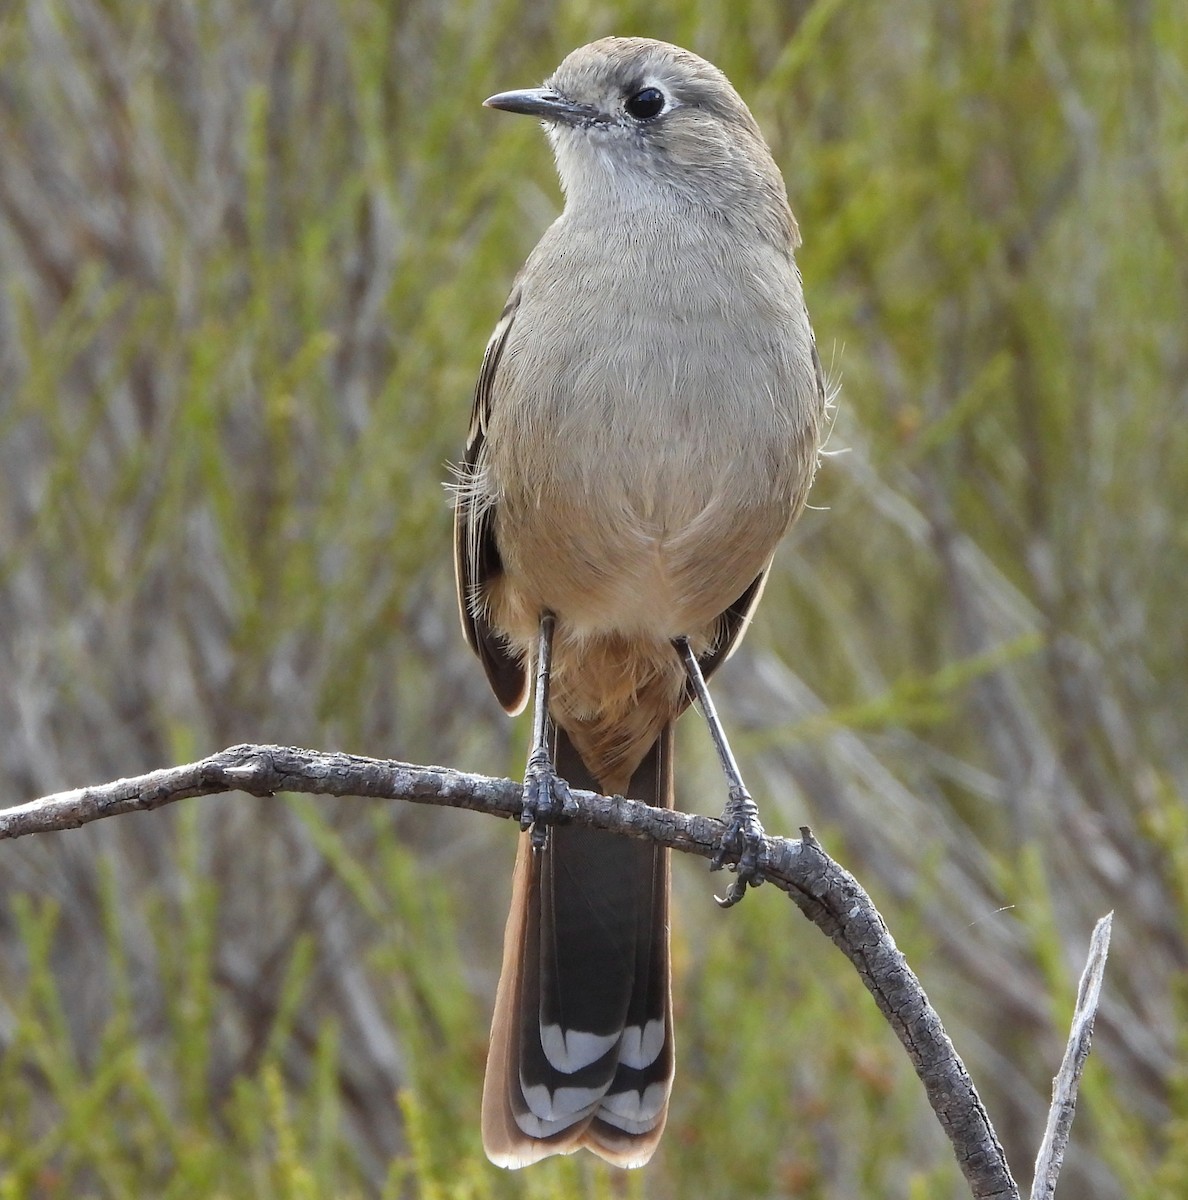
(646, 427)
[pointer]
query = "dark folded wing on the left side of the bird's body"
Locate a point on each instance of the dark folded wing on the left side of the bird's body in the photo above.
(477, 561)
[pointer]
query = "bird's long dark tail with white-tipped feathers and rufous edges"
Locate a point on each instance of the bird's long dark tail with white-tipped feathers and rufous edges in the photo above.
(581, 1041)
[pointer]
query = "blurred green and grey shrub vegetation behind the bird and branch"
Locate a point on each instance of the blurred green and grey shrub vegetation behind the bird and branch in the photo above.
(251, 254)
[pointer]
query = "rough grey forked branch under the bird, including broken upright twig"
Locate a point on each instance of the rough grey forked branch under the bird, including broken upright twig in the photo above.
(826, 893)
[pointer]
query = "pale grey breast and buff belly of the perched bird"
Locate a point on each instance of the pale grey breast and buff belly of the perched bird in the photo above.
(650, 439)
